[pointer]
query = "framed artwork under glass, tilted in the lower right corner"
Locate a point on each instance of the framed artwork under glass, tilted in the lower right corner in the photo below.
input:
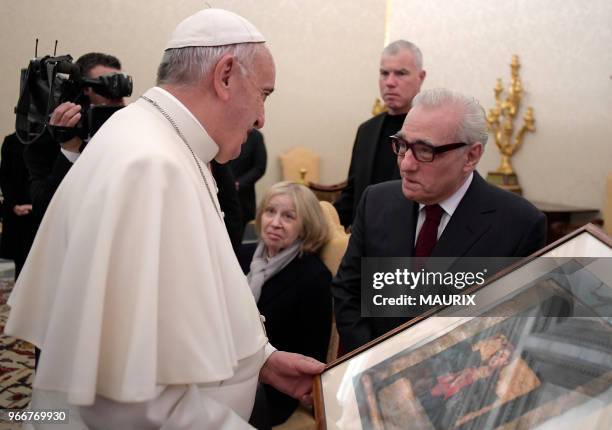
(537, 353)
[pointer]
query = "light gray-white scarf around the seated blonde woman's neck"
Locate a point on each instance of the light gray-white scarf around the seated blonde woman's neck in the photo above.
(264, 267)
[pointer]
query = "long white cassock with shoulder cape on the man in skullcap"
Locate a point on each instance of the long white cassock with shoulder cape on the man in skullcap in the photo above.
(132, 290)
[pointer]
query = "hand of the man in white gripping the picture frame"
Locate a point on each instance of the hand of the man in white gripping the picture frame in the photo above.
(291, 374)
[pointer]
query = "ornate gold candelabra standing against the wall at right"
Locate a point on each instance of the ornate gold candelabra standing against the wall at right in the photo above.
(501, 120)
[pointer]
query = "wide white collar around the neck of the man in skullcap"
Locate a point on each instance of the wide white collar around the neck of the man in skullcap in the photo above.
(198, 139)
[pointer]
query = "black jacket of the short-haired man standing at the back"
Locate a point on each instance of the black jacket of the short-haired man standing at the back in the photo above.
(360, 169)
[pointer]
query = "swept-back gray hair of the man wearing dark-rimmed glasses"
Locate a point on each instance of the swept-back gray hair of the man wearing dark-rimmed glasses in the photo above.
(472, 127)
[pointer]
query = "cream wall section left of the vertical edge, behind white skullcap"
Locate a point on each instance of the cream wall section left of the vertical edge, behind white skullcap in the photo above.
(326, 57)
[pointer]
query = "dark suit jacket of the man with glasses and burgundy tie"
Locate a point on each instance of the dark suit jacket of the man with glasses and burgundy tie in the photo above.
(489, 222)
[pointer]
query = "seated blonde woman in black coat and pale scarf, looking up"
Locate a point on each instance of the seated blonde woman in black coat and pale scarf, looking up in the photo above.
(290, 283)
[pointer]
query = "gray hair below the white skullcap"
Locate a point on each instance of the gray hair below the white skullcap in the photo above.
(187, 66)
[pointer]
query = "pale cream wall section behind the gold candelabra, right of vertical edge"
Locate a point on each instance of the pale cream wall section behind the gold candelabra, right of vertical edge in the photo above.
(564, 48)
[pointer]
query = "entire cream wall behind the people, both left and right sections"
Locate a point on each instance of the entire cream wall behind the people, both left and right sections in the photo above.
(327, 60)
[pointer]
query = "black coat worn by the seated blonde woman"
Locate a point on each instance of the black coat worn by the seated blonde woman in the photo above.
(297, 305)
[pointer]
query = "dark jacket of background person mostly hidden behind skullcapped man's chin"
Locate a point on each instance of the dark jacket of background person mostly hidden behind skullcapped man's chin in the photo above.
(248, 168)
